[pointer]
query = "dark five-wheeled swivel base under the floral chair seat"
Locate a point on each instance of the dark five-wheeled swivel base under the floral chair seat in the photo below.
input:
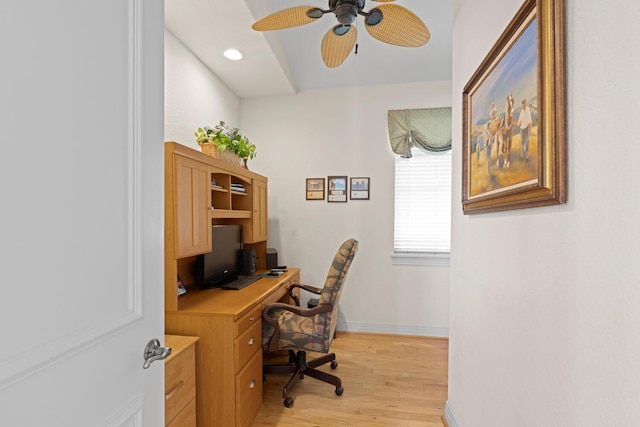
(299, 367)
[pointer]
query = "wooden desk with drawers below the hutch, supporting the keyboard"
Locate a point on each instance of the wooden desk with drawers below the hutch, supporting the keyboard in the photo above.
(229, 352)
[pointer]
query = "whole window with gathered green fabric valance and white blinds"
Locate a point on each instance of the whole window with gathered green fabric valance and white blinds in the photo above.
(422, 226)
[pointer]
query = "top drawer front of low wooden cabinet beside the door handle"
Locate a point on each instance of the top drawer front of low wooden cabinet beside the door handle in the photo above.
(180, 382)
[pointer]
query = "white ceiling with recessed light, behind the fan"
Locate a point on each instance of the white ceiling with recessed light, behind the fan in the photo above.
(287, 61)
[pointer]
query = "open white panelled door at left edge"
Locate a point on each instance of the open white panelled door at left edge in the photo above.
(81, 212)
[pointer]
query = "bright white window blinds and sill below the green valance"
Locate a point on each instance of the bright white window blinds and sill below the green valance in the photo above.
(422, 222)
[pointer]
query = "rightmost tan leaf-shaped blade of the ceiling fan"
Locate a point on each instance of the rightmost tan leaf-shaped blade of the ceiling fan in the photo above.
(399, 27)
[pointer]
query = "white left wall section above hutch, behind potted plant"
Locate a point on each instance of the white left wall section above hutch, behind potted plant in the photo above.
(194, 97)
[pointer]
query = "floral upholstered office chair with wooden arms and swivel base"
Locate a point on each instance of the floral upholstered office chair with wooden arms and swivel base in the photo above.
(290, 327)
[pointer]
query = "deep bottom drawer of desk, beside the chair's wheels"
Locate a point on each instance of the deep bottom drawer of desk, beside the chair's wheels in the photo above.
(249, 392)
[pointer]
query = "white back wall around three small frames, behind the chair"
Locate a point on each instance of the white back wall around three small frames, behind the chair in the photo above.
(344, 132)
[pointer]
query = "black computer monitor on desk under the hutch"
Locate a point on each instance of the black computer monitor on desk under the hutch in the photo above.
(224, 262)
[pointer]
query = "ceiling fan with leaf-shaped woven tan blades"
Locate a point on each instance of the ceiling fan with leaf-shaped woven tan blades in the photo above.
(389, 23)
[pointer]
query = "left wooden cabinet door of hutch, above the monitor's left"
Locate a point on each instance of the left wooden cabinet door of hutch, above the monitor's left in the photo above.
(192, 207)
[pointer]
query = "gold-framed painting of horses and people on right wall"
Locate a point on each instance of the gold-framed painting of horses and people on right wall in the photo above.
(514, 117)
